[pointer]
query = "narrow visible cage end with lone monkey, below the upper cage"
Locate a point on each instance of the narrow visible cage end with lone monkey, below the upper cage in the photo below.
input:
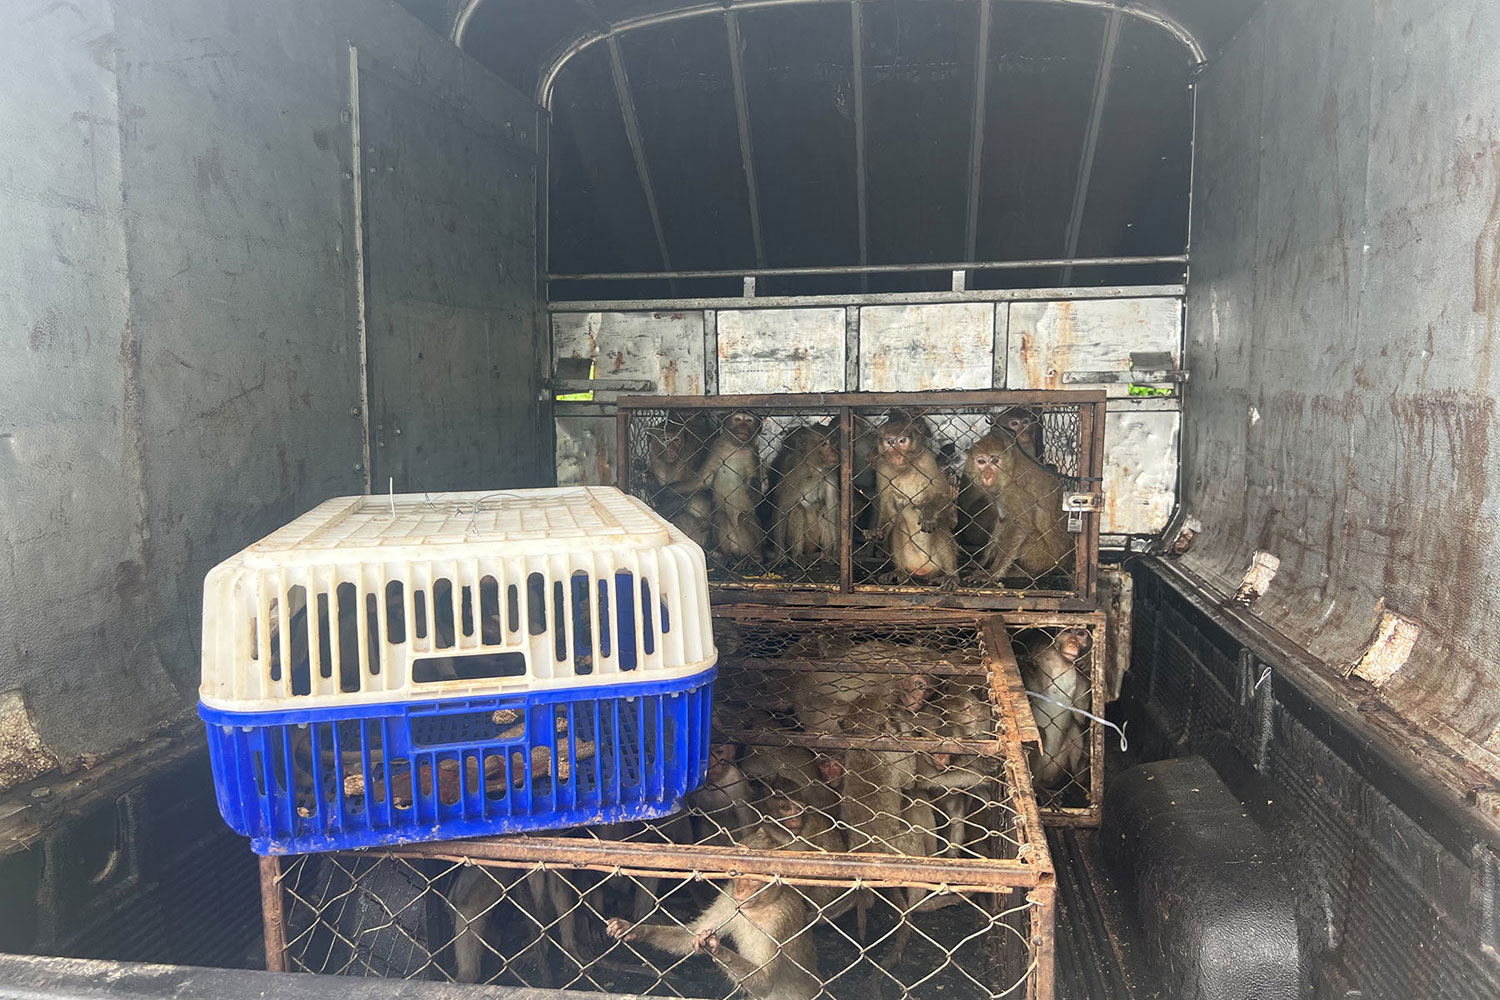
(1061, 660)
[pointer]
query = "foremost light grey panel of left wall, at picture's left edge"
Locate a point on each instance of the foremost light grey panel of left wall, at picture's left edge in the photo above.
(76, 630)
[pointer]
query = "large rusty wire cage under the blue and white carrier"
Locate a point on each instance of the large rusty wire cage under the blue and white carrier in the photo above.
(896, 837)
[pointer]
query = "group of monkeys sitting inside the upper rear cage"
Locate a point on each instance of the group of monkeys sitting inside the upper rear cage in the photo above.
(1004, 516)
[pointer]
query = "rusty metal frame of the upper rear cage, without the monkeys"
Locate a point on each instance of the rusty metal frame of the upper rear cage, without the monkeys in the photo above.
(850, 593)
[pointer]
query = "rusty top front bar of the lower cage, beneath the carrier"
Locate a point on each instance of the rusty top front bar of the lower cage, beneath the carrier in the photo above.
(673, 860)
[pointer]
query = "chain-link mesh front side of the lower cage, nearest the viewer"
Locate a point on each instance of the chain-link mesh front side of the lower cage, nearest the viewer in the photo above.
(655, 932)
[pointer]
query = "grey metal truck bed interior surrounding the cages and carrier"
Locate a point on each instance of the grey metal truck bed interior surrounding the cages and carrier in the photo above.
(278, 253)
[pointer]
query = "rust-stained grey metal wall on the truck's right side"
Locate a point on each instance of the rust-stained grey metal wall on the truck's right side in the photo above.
(1346, 409)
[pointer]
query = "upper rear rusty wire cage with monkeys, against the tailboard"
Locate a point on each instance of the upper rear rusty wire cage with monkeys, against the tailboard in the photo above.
(788, 500)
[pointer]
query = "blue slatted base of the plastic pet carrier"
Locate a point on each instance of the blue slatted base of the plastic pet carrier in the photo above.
(371, 776)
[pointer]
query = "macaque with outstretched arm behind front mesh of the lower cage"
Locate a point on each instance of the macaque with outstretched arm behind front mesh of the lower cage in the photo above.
(769, 954)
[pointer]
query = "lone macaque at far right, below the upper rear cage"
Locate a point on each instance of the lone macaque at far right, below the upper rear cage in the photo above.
(1058, 668)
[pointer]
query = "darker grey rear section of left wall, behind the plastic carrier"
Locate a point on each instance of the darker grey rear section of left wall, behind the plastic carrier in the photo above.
(451, 307)
